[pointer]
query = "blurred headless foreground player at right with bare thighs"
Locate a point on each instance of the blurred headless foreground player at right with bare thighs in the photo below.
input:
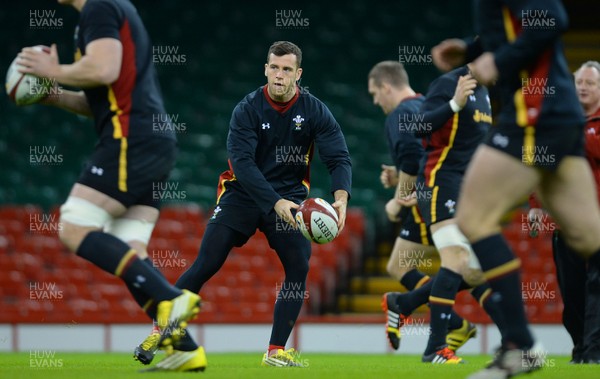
(517, 51)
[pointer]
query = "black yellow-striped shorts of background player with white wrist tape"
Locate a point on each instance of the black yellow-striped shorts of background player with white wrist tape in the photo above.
(438, 203)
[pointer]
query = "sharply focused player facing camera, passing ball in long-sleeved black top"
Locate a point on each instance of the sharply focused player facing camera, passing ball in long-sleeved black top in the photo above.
(264, 184)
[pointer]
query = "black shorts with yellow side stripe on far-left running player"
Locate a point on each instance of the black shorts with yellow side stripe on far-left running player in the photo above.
(132, 171)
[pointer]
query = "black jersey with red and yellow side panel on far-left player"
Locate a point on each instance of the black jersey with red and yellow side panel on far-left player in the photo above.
(130, 106)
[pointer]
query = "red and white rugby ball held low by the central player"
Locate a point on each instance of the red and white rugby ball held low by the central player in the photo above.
(317, 220)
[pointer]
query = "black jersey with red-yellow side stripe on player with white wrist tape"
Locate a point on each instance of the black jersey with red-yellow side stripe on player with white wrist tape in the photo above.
(453, 137)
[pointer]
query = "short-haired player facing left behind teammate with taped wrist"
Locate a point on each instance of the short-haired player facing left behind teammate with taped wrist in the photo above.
(390, 88)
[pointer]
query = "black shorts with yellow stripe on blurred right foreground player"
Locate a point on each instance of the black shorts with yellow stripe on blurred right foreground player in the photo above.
(542, 147)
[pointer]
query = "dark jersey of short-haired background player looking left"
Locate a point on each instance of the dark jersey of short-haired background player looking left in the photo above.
(406, 149)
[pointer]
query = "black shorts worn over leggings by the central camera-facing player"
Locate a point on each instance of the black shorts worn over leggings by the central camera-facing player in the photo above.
(246, 220)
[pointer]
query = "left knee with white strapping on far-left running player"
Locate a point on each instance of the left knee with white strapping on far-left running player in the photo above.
(77, 218)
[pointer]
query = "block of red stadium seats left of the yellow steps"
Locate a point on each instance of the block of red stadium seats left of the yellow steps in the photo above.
(42, 282)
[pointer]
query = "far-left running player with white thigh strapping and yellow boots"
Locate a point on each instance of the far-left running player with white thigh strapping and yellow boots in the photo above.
(110, 213)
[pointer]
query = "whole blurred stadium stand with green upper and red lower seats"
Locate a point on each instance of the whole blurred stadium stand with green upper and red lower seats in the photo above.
(224, 51)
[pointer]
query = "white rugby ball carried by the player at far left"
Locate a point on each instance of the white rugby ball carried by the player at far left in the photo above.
(26, 89)
